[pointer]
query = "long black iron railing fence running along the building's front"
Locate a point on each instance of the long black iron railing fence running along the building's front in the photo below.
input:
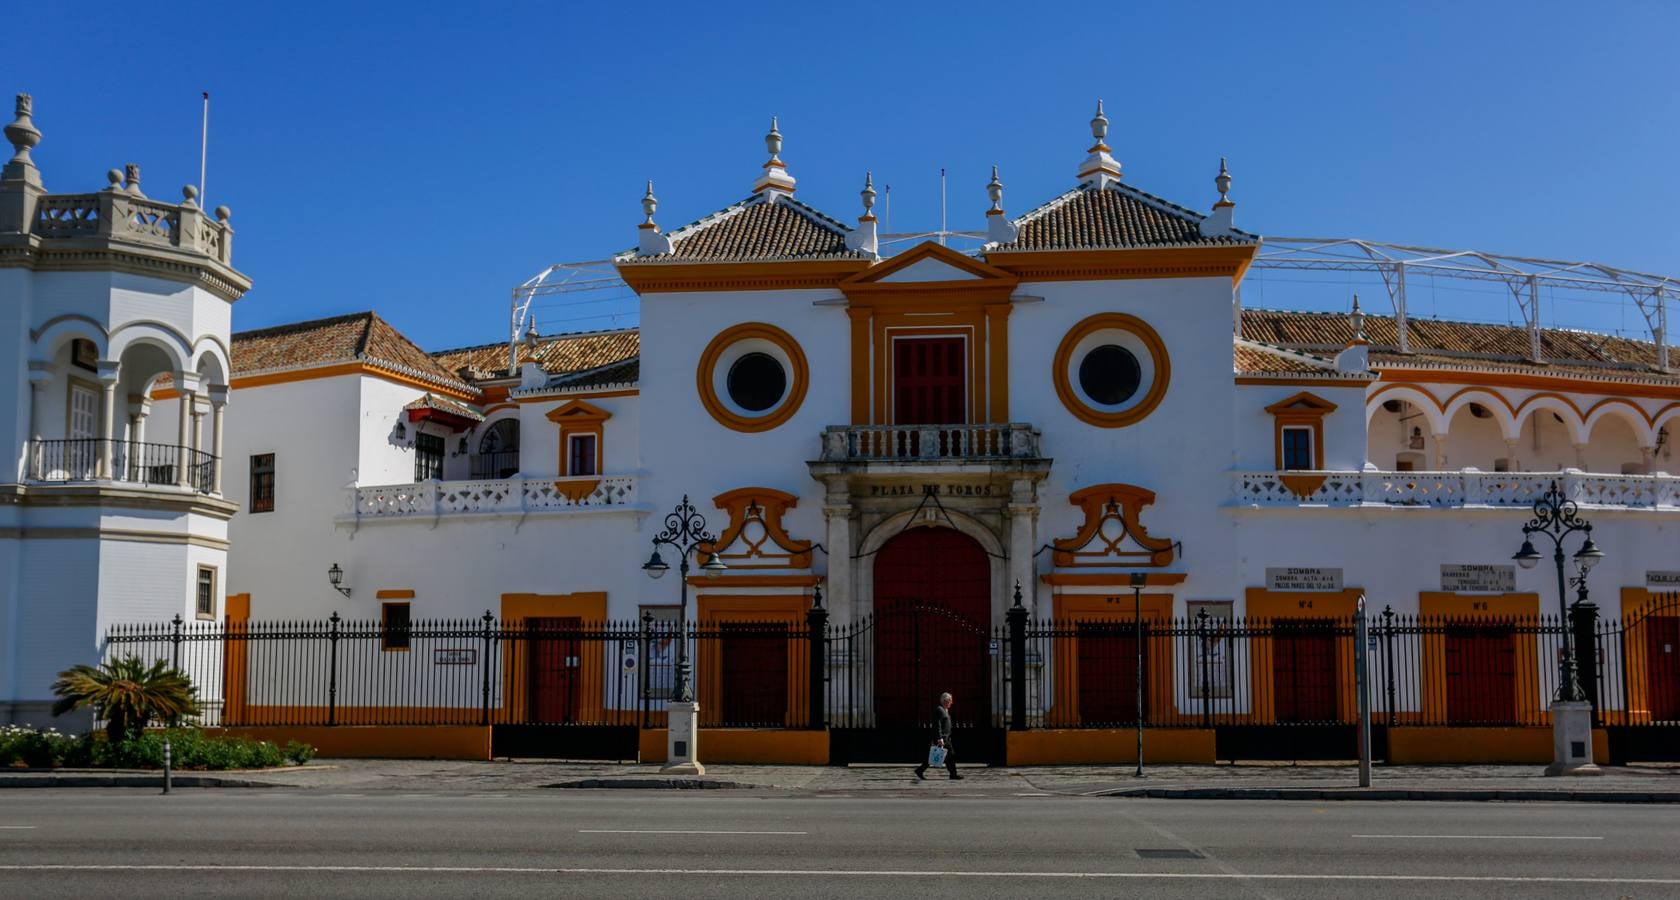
(886, 671)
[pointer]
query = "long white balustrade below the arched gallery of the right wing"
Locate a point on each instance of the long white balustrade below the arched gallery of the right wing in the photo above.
(1452, 489)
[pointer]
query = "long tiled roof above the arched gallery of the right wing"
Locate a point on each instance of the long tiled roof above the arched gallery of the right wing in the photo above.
(1461, 345)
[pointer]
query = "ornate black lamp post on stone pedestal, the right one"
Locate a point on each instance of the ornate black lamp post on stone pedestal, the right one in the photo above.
(1557, 518)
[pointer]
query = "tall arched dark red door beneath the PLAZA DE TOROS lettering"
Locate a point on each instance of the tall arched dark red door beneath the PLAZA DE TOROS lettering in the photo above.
(932, 627)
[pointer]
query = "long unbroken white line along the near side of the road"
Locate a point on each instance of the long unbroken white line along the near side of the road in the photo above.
(861, 874)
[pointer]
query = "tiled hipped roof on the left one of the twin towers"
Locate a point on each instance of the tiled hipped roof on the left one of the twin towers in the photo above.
(757, 229)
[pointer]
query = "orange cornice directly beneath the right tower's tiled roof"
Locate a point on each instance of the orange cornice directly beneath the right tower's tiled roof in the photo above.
(1157, 263)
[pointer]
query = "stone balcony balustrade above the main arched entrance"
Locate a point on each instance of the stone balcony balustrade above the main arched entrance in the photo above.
(930, 442)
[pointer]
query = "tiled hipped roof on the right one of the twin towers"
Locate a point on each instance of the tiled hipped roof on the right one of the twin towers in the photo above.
(1111, 217)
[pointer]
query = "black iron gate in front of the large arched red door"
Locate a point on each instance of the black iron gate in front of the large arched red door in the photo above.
(886, 676)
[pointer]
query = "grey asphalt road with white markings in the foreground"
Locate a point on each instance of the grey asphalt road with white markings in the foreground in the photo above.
(730, 845)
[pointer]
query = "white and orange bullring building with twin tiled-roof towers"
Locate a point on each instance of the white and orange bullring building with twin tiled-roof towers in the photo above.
(1079, 409)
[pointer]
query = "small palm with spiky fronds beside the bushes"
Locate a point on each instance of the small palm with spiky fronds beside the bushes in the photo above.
(127, 694)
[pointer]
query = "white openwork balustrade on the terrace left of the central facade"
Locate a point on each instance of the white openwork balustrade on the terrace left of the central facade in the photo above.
(490, 498)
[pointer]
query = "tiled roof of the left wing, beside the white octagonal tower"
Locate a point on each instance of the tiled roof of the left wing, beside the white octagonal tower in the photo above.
(362, 337)
